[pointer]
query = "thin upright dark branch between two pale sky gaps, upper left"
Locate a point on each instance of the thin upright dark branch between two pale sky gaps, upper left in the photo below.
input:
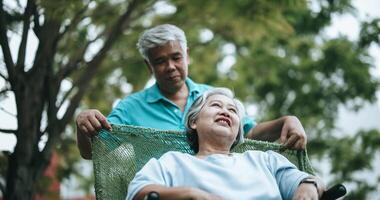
(24, 37)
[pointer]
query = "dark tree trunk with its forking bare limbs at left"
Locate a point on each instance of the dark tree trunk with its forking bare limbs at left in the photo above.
(36, 91)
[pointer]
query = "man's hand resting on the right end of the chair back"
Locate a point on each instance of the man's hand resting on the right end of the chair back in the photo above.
(293, 134)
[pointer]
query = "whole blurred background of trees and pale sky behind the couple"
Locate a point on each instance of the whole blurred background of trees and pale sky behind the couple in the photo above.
(316, 59)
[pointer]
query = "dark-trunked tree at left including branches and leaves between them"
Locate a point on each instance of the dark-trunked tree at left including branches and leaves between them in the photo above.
(63, 41)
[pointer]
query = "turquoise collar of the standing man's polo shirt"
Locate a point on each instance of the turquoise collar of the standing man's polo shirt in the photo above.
(154, 94)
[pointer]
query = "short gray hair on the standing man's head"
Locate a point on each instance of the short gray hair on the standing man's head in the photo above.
(159, 36)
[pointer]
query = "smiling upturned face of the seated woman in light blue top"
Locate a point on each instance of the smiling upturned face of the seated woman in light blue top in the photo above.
(218, 117)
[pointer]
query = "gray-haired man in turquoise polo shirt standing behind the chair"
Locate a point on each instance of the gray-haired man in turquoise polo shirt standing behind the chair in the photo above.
(165, 104)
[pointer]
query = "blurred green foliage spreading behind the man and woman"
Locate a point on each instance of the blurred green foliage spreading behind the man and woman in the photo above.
(282, 64)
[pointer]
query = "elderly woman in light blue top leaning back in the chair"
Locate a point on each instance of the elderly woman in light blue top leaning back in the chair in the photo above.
(214, 127)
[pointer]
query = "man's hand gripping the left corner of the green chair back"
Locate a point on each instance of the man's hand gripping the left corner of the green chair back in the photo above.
(89, 122)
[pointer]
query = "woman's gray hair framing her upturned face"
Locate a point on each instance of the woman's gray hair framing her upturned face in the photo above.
(196, 108)
